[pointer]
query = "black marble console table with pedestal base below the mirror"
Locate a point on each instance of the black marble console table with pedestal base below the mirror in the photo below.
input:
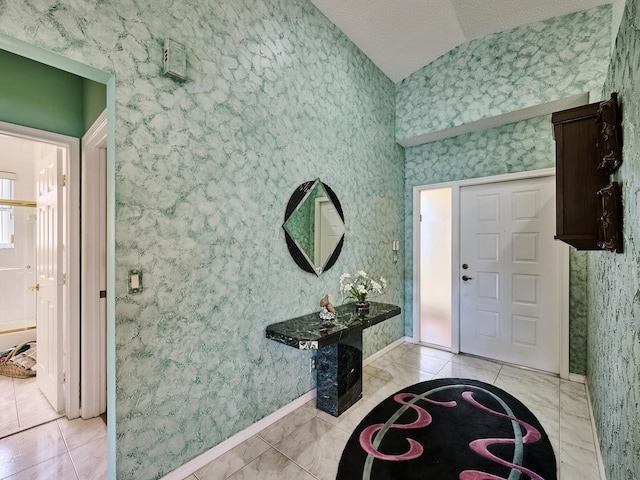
(339, 346)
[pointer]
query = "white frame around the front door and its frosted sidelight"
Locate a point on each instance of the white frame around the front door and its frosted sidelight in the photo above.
(563, 268)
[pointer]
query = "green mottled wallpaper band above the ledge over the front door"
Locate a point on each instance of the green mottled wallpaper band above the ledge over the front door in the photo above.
(505, 72)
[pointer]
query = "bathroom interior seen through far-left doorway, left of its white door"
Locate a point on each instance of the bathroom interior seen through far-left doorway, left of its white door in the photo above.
(24, 403)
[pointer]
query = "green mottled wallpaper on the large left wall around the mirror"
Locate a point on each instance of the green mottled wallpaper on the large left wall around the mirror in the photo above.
(275, 96)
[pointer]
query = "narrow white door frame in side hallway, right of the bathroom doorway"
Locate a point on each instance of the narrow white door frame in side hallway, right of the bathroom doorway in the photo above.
(92, 327)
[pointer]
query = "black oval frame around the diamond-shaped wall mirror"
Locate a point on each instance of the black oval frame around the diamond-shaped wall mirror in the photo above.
(298, 256)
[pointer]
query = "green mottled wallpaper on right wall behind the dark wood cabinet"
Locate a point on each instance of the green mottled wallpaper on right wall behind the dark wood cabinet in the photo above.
(614, 281)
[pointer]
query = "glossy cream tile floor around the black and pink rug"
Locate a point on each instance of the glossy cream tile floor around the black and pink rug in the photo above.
(307, 443)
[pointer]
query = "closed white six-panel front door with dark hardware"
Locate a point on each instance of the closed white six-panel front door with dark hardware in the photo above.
(510, 290)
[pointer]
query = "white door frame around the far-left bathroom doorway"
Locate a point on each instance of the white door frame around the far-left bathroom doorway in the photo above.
(71, 267)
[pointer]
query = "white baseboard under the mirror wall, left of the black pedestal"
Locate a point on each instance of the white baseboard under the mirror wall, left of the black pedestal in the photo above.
(207, 457)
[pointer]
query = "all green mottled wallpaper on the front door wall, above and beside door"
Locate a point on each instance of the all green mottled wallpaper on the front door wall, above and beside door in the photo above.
(490, 76)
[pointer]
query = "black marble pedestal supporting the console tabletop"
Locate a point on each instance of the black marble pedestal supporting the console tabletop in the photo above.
(339, 367)
